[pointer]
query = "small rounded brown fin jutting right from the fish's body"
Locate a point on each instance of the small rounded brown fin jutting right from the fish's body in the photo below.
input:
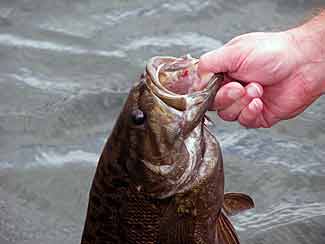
(235, 202)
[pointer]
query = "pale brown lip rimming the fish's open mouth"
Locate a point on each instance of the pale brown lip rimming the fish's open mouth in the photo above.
(177, 101)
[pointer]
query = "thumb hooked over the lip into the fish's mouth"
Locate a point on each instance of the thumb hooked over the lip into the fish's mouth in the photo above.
(217, 61)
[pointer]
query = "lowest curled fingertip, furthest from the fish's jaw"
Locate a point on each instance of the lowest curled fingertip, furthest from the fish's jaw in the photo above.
(249, 115)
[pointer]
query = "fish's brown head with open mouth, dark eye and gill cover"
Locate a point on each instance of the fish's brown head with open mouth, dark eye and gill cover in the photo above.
(163, 111)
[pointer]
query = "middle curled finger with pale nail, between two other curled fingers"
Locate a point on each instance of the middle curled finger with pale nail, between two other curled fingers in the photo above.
(231, 113)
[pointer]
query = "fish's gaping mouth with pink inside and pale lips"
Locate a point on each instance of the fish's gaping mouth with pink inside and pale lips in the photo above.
(173, 80)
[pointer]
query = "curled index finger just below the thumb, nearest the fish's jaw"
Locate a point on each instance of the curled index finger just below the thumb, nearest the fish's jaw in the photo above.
(227, 95)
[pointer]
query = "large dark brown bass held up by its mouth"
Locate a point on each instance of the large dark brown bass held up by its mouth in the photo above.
(160, 177)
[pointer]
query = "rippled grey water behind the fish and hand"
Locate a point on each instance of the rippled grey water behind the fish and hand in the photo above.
(65, 69)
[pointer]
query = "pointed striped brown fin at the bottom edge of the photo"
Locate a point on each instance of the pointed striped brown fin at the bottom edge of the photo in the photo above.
(225, 230)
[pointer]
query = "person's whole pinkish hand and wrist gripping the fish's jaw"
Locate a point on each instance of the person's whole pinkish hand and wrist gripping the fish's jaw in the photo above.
(269, 76)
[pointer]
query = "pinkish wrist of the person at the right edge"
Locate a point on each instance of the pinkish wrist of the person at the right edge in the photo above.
(309, 40)
